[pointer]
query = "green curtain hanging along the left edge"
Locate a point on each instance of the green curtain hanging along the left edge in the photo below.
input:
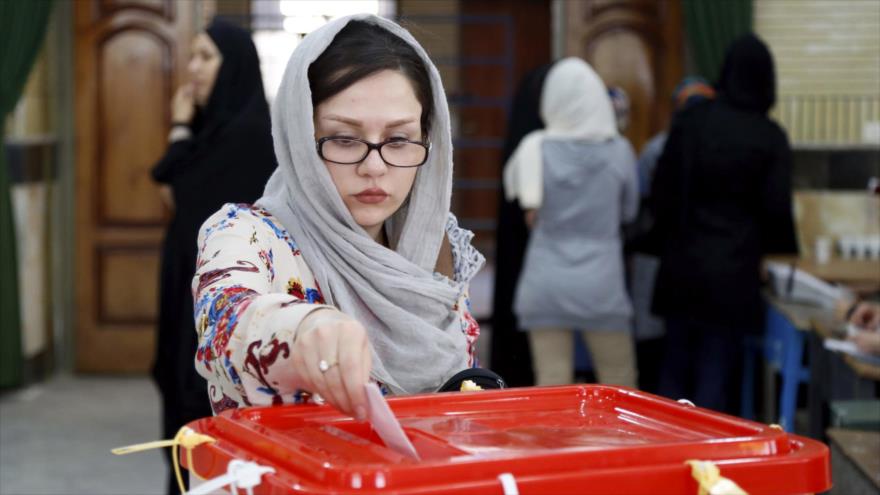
(22, 29)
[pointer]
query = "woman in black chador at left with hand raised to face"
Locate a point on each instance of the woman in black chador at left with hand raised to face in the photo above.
(220, 152)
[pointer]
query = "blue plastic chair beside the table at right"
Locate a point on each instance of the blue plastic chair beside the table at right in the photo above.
(783, 348)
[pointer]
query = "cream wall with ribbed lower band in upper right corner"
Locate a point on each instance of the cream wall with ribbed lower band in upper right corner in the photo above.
(827, 56)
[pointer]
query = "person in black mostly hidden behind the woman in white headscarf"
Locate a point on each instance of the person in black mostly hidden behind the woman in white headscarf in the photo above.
(510, 355)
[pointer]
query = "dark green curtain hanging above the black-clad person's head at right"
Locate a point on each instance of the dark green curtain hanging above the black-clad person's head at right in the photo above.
(711, 25)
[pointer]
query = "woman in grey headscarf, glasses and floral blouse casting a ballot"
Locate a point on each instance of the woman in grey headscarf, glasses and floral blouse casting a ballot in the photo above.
(350, 268)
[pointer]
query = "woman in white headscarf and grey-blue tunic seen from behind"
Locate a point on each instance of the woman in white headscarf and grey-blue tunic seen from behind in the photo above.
(576, 179)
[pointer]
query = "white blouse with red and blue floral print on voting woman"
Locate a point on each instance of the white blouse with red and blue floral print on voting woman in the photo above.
(252, 288)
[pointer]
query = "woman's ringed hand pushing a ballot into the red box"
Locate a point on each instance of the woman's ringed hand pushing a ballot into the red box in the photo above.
(331, 358)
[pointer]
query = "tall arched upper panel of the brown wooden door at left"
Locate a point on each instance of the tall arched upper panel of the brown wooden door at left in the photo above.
(133, 96)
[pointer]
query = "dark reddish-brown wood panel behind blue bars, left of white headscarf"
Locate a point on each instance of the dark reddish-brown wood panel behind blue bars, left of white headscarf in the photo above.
(500, 43)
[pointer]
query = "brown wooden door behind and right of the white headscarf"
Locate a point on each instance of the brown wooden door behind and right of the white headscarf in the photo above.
(633, 44)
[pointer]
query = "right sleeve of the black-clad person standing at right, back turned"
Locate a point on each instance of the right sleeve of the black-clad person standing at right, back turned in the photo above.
(777, 227)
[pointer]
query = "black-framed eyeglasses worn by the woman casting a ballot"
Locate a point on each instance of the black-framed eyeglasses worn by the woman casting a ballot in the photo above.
(394, 152)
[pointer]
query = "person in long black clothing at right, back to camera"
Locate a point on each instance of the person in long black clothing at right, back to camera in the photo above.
(722, 200)
